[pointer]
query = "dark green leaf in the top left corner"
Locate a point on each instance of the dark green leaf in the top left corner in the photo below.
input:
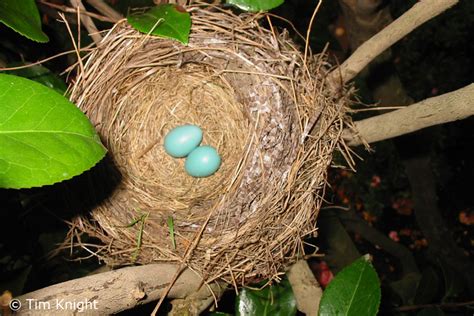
(23, 17)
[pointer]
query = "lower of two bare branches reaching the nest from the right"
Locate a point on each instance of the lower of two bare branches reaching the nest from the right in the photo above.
(445, 108)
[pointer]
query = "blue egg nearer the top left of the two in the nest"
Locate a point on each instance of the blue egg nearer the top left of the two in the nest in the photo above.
(182, 140)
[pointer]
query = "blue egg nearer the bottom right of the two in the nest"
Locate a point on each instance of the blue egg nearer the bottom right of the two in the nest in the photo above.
(202, 162)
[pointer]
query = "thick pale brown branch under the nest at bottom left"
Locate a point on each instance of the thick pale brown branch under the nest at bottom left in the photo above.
(112, 291)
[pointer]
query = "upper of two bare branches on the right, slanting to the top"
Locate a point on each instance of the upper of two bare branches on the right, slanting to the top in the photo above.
(421, 12)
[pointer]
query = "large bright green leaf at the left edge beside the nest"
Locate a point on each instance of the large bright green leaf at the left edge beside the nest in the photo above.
(44, 138)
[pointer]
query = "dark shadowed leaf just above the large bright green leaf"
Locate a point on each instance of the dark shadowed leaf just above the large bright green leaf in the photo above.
(42, 75)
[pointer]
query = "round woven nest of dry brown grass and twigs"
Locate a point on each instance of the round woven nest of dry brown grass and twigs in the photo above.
(255, 96)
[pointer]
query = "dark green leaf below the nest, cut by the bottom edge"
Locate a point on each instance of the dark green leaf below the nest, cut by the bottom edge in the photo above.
(276, 300)
